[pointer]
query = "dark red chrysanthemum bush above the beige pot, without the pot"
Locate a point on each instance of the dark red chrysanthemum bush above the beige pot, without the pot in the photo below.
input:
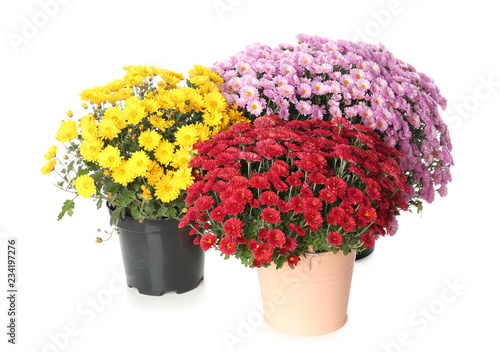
(272, 190)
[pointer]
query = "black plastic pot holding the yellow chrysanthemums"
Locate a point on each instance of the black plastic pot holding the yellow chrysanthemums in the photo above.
(159, 257)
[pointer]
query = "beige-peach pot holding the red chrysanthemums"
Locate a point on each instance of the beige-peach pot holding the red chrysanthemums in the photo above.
(310, 299)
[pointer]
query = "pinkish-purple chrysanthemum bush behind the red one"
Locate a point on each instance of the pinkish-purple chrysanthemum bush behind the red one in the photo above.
(321, 79)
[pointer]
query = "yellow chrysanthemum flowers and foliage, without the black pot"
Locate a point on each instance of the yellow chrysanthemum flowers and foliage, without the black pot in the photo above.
(133, 146)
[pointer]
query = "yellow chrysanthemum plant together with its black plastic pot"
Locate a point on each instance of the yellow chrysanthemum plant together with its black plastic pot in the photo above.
(131, 150)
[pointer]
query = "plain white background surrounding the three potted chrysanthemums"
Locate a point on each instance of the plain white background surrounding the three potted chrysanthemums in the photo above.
(81, 44)
